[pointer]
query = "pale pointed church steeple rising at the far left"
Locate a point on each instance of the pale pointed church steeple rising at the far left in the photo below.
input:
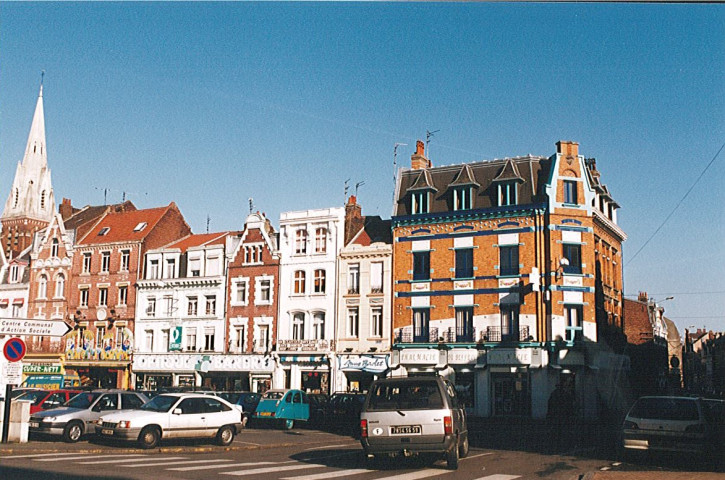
(31, 203)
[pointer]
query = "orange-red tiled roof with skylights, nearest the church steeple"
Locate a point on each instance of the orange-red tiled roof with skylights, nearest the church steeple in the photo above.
(124, 226)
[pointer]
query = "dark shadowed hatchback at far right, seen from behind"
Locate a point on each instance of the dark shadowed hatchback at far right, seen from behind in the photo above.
(668, 424)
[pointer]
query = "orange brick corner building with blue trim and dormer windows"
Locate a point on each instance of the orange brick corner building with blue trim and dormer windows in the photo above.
(507, 279)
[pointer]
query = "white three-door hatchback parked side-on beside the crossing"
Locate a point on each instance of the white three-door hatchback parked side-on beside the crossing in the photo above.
(174, 415)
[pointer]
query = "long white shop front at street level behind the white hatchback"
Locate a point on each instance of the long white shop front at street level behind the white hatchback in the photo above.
(212, 371)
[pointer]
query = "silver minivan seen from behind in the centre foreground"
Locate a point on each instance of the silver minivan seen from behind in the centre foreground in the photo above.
(414, 415)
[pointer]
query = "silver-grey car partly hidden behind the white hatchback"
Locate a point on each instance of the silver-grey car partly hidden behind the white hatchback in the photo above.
(78, 415)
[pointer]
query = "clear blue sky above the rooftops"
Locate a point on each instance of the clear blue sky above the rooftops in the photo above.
(209, 104)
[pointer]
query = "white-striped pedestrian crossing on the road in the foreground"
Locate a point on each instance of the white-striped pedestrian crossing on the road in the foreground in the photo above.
(312, 468)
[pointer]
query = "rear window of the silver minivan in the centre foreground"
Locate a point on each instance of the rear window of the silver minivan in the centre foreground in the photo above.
(405, 396)
